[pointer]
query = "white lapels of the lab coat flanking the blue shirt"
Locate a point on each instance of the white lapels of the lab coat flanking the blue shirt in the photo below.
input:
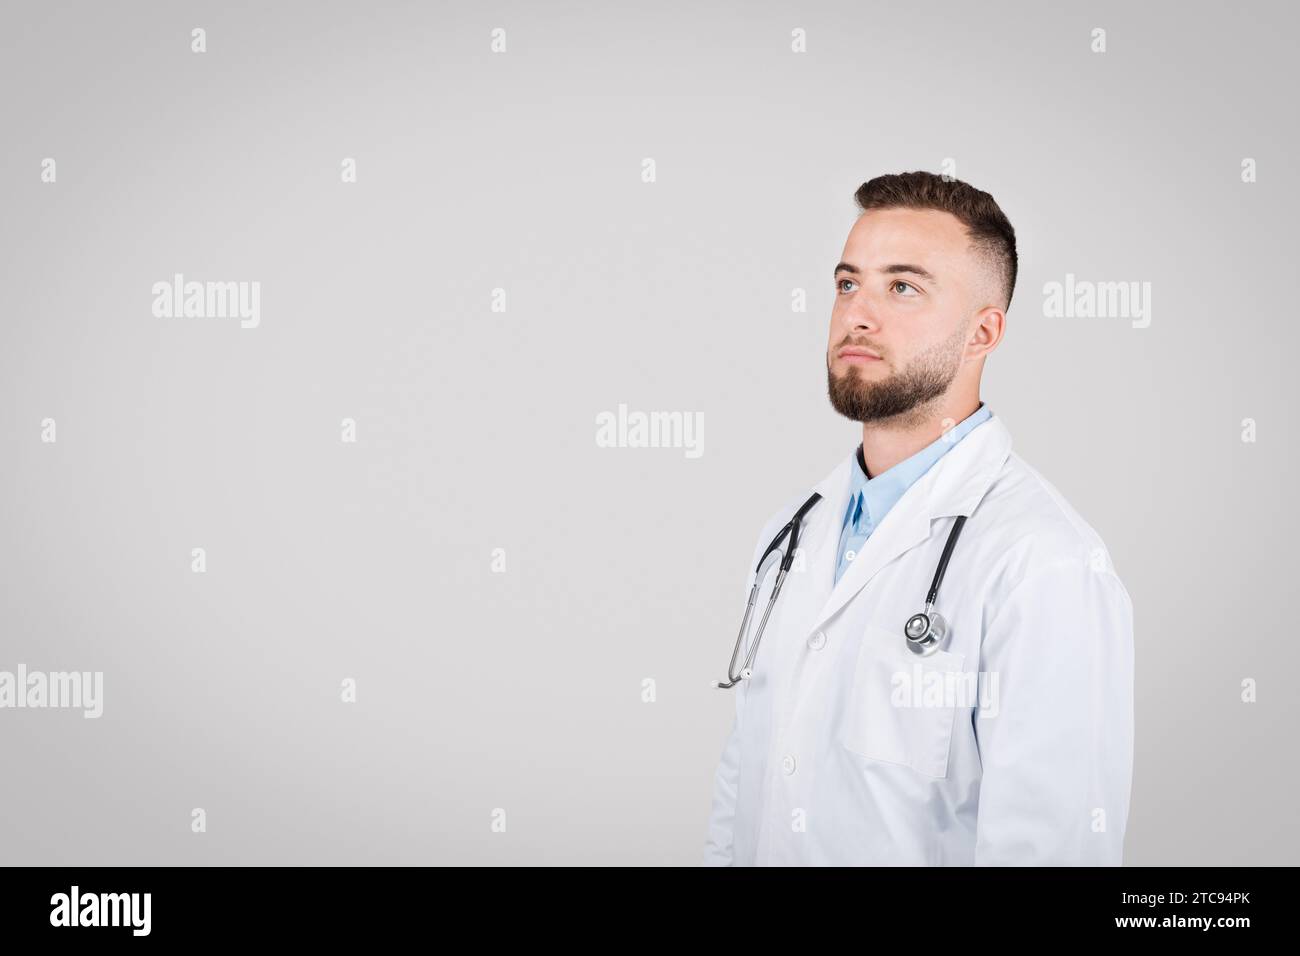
(955, 486)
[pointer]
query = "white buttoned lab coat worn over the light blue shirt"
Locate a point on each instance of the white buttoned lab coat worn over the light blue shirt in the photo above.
(825, 765)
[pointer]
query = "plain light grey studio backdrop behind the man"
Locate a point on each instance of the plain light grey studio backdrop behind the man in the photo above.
(476, 430)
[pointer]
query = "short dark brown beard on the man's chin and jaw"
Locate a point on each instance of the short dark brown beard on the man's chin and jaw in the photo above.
(925, 379)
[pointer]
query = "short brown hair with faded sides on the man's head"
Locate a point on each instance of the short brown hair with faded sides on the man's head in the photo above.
(990, 231)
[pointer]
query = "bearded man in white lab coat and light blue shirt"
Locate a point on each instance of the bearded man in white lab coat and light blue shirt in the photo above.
(1009, 739)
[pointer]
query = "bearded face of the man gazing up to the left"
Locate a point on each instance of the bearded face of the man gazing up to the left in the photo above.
(904, 295)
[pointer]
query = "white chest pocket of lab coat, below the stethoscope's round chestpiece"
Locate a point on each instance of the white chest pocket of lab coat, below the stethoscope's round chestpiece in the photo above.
(900, 710)
